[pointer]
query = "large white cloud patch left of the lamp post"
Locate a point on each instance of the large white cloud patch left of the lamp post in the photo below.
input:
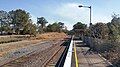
(70, 14)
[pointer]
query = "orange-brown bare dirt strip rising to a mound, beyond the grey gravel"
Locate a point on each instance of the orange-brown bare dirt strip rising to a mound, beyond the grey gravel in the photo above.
(6, 47)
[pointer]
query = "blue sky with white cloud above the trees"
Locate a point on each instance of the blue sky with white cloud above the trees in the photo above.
(66, 11)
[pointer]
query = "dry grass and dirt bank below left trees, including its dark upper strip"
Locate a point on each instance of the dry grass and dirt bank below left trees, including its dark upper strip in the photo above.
(9, 43)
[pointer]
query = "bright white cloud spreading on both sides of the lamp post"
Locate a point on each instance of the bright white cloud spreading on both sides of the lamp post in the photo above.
(70, 14)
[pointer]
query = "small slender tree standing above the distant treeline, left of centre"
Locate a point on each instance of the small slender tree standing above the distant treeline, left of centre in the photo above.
(43, 22)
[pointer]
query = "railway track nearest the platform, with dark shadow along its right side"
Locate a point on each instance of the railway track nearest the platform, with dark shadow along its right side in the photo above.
(58, 58)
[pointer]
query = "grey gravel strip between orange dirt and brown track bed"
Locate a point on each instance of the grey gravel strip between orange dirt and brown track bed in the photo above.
(15, 54)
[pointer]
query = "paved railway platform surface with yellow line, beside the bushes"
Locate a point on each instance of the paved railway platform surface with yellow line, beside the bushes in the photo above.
(85, 58)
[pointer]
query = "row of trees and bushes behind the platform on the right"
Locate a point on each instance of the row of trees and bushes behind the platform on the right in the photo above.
(101, 30)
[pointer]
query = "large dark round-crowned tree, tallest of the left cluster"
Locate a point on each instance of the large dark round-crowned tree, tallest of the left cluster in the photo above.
(19, 19)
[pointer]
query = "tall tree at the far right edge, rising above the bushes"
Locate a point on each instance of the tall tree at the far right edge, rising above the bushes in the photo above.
(114, 27)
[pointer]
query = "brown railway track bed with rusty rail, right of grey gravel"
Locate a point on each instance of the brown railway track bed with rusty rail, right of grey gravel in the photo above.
(38, 58)
